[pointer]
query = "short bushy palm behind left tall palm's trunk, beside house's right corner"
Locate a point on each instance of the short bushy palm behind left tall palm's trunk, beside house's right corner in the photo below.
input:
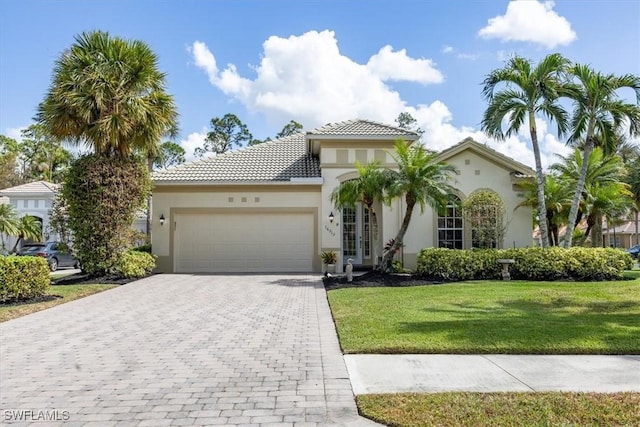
(557, 195)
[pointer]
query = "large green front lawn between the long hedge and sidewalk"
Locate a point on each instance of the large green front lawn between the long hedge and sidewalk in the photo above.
(514, 317)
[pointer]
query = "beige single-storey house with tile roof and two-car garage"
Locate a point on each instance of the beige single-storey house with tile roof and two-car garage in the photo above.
(267, 208)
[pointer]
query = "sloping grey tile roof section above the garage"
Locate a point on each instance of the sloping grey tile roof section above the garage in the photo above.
(278, 160)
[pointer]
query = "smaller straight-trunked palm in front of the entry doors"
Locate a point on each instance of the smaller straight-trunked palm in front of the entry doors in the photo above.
(368, 188)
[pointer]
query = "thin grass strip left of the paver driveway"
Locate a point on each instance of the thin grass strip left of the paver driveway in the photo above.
(59, 295)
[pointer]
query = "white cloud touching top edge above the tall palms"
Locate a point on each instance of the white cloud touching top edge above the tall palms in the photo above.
(530, 21)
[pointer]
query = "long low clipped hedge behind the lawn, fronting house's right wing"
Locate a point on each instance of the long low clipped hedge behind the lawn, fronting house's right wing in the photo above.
(530, 263)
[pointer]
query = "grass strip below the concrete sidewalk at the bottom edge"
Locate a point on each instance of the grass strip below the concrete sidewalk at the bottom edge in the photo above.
(502, 409)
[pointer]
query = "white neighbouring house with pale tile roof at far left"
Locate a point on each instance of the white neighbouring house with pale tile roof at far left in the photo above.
(35, 199)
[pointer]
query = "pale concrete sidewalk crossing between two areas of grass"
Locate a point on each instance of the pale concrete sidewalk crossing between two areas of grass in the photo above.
(376, 373)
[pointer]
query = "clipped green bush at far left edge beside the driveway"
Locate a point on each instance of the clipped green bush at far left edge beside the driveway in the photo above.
(23, 277)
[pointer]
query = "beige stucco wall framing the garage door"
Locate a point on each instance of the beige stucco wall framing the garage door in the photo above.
(169, 201)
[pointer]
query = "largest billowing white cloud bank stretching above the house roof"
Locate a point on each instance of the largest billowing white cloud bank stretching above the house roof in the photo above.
(307, 79)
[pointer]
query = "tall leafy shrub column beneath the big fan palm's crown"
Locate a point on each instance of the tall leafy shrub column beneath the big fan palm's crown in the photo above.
(103, 195)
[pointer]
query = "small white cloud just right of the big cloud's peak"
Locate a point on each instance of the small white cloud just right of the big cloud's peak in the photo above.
(390, 65)
